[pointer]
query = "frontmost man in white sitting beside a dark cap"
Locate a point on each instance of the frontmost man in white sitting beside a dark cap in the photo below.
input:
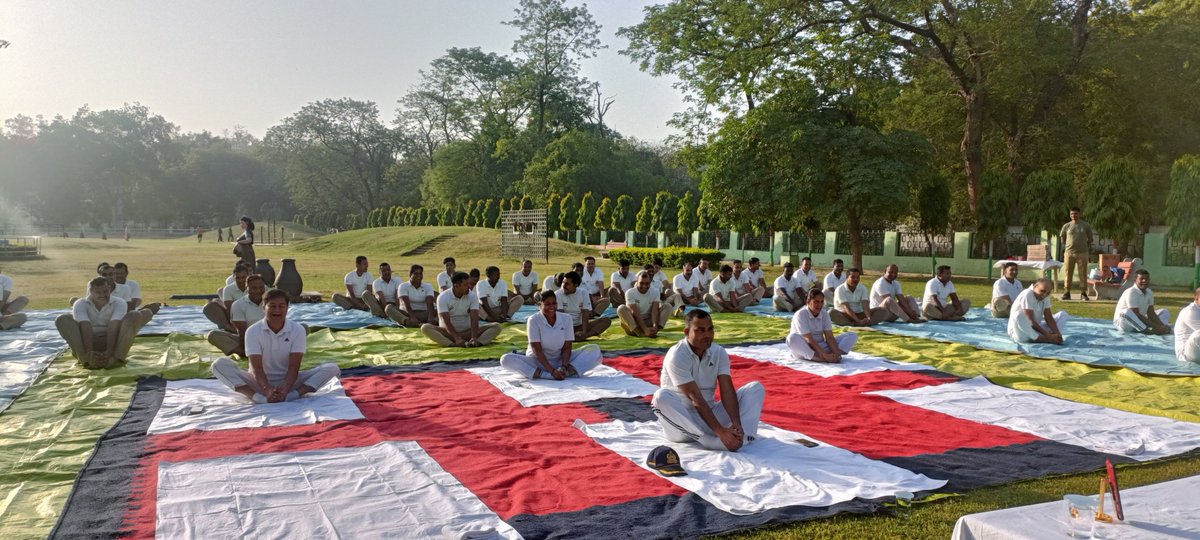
(687, 404)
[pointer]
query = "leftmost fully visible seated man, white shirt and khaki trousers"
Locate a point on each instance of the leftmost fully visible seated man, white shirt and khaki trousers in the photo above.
(100, 329)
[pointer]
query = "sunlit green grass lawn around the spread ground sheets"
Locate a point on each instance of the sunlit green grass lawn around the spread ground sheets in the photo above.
(184, 267)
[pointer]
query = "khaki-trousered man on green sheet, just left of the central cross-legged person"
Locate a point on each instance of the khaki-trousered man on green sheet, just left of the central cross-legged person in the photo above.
(459, 317)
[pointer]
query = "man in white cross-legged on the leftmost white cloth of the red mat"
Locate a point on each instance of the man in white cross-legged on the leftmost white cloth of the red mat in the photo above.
(277, 347)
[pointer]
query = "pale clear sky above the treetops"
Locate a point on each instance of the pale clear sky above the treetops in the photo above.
(212, 65)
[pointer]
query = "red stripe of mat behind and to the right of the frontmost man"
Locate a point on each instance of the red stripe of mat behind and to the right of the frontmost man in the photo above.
(837, 411)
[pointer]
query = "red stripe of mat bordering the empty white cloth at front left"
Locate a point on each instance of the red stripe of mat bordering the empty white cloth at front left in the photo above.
(517, 460)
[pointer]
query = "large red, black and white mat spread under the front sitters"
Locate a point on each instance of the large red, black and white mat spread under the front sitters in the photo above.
(556, 470)
